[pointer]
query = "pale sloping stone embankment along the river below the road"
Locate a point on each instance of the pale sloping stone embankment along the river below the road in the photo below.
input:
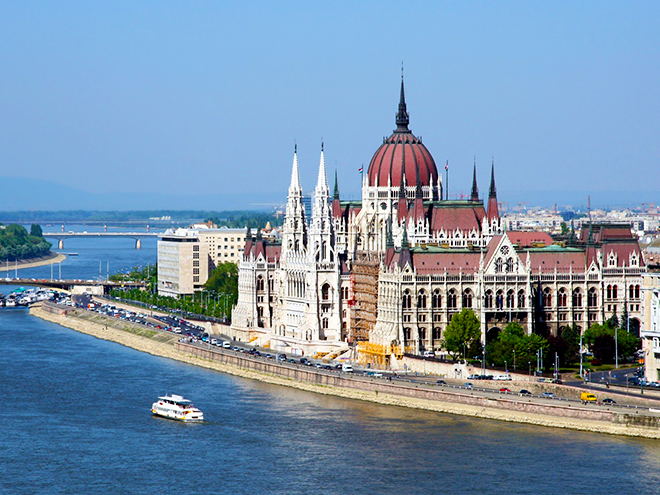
(510, 409)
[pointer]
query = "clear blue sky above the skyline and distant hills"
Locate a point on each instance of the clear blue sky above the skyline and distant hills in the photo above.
(208, 97)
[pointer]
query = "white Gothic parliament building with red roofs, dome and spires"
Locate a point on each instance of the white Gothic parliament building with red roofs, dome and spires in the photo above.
(387, 273)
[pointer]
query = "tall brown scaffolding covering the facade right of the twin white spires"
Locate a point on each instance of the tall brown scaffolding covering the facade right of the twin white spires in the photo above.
(364, 296)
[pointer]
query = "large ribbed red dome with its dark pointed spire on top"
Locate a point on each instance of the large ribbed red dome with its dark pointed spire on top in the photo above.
(402, 153)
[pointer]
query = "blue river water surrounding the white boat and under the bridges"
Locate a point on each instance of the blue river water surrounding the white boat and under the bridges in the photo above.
(76, 420)
